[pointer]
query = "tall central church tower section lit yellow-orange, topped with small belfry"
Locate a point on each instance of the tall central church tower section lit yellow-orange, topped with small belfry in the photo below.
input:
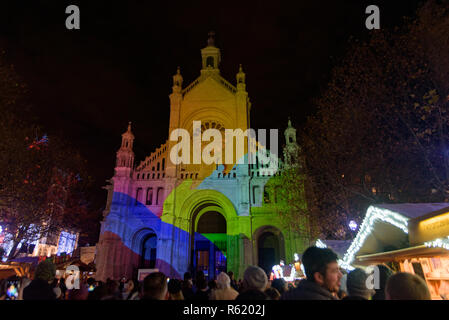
(214, 101)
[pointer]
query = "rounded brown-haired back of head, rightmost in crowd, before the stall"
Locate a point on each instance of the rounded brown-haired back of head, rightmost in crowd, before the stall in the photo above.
(406, 286)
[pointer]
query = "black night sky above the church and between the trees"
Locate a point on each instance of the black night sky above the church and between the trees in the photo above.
(86, 84)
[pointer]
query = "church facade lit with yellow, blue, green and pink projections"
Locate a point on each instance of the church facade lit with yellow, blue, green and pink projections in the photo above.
(191, 217)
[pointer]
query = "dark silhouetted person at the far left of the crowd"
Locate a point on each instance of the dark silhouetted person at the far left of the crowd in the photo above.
(40, 288)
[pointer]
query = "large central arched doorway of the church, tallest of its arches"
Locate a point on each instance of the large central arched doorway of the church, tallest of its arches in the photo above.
(209, 243)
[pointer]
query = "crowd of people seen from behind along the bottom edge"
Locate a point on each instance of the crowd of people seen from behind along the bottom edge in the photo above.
(324, 281)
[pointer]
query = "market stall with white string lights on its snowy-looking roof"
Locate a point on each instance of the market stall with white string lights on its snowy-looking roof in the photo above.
(409, 238)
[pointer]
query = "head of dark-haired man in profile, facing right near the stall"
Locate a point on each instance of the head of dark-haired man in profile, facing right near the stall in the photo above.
(321, 267)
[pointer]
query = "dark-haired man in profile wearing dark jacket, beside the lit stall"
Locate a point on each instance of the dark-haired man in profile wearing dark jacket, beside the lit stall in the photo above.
(323, 276)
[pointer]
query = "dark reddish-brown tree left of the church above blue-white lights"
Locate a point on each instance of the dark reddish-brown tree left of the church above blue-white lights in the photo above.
(38, 176)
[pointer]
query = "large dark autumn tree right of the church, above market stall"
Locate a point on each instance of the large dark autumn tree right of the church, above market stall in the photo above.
(381, 128)
